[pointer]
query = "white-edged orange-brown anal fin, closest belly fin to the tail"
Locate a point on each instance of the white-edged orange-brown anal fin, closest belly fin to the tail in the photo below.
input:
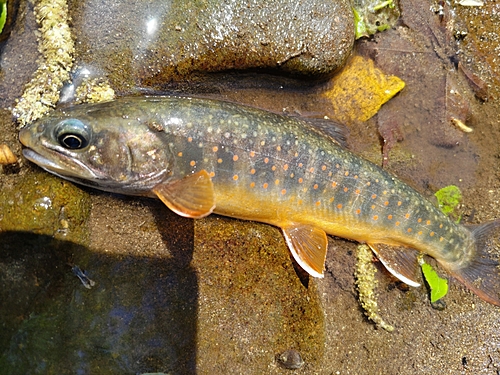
(401, 261)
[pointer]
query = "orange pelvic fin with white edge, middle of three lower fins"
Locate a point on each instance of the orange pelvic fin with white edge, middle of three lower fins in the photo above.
(308, 246)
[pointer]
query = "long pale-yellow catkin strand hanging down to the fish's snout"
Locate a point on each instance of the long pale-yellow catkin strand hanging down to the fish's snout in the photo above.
(57, 48)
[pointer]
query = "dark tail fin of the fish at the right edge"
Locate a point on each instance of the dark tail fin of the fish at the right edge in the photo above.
(481, 273)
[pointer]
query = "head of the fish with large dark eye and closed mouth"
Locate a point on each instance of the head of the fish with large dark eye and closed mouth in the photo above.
(110, 154)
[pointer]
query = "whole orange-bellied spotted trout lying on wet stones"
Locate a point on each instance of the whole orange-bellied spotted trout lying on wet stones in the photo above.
(201, 156)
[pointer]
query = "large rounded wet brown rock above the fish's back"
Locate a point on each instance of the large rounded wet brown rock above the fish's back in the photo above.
(157, 41)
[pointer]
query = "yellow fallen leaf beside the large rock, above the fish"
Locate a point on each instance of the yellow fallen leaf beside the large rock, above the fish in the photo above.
(360, 89)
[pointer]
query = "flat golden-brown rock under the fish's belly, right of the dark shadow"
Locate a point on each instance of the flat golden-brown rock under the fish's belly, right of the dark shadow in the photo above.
(251, 302)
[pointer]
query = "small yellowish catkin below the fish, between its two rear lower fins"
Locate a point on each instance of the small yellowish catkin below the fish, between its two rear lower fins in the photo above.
(366, 283)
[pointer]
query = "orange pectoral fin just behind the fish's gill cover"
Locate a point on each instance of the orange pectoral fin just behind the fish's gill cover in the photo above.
(193, 196)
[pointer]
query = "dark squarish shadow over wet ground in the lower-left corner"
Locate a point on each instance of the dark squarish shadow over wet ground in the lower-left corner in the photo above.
(140, 316)
